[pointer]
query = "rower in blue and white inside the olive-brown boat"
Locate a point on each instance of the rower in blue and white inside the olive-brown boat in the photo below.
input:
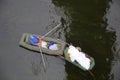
(37, 41)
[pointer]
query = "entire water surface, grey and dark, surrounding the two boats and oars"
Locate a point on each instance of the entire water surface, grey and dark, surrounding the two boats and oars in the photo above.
(92, 25)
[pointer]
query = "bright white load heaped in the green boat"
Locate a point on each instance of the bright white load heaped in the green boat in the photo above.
(76, 55)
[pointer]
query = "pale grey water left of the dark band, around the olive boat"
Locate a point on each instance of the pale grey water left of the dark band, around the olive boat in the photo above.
(17, 17)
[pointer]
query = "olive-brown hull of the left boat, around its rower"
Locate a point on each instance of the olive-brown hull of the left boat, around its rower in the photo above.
(24, 42)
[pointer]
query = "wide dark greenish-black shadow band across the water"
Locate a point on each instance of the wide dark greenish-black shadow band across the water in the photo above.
(88, 29)
